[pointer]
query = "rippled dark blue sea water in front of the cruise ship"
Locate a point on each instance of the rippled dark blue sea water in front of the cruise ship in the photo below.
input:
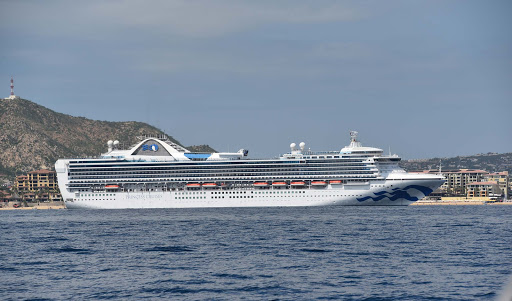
(343, 253)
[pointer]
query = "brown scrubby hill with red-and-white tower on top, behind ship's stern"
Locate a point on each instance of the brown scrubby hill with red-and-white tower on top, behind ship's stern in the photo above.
(34, 137)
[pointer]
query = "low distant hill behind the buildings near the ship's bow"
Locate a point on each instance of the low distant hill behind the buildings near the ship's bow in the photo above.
(490, 162)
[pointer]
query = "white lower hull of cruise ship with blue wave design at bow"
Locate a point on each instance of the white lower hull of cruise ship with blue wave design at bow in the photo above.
(389, 193)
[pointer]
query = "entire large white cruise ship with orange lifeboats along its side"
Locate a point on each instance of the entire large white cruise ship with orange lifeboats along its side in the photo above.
(157, 173)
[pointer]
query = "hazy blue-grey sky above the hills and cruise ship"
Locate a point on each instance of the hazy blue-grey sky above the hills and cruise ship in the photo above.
(424, 78)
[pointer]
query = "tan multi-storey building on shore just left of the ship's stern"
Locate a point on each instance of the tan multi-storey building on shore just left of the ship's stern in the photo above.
(36, 181)
